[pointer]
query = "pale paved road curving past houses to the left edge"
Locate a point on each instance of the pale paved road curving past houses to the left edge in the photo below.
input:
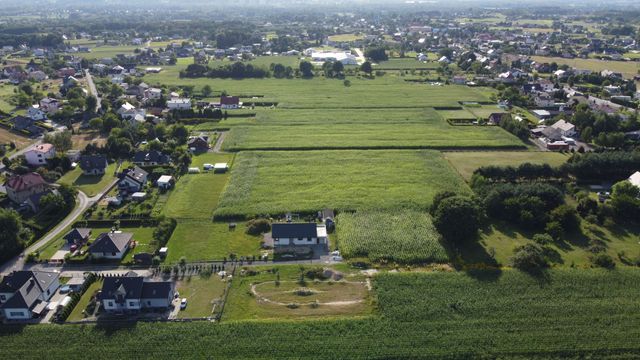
(83, 203)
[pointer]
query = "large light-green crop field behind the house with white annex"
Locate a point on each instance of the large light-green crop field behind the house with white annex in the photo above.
(277, 182)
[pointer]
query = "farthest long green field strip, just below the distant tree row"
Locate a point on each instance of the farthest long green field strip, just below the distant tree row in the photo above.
(322, 93)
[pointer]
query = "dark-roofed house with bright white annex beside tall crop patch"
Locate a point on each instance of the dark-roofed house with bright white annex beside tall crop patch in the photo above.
(287, 234)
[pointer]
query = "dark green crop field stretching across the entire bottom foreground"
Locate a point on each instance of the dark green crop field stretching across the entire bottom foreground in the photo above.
(508, 315)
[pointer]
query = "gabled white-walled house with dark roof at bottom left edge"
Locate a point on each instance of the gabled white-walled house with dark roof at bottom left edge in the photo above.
(24, 294)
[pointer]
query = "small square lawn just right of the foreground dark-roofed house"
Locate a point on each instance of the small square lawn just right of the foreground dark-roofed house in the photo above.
(202, 294)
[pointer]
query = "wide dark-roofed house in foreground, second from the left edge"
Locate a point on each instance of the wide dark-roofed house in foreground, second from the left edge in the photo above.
(132, 294)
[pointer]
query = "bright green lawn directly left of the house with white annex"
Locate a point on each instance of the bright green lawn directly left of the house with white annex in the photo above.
(205, 240)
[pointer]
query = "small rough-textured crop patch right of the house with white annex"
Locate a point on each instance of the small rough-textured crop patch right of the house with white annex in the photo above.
(405, 236)
